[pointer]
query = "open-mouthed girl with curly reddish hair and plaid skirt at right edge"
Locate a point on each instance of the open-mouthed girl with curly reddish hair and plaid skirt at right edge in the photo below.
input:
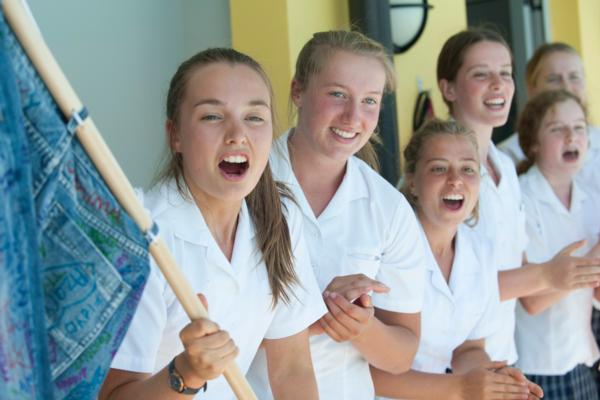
(554, 336)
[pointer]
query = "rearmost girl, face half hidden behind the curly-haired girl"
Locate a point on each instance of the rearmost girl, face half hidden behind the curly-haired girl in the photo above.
(553, 66)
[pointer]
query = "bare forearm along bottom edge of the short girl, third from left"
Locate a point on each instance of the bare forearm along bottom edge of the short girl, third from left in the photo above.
(415, 385)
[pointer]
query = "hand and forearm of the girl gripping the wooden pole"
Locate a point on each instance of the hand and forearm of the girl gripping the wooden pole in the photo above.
(208, 350)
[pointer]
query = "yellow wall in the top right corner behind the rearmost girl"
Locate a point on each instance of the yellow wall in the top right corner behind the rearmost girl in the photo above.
(577, 22)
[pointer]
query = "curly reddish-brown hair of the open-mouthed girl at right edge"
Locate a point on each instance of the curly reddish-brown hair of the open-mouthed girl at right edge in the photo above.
(530, 122)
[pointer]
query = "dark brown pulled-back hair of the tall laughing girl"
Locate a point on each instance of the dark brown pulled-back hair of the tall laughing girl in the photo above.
(452, 55)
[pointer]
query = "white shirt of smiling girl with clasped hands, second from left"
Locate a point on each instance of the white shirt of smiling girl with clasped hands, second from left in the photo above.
(368, 227)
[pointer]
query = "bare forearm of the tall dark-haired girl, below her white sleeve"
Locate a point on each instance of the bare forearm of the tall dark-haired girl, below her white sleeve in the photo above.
(523, 281)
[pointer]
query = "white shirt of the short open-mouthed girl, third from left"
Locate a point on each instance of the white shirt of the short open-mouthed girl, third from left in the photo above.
(463, 309)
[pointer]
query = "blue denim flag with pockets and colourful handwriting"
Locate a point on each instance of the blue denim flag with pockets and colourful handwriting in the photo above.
(74, 264)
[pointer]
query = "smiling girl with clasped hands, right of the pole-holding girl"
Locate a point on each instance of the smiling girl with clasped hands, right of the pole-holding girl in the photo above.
(366, 248)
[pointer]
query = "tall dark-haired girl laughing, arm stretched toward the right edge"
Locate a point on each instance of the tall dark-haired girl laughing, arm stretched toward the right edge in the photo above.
(475, 77)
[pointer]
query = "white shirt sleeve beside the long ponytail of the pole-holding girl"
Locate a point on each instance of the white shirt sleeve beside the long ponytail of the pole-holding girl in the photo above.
(306, 303)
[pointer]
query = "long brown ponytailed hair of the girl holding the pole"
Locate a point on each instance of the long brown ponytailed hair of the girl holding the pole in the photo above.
(264, 202)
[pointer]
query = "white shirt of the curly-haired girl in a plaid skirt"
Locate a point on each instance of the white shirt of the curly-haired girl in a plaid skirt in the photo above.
(558, 339)
